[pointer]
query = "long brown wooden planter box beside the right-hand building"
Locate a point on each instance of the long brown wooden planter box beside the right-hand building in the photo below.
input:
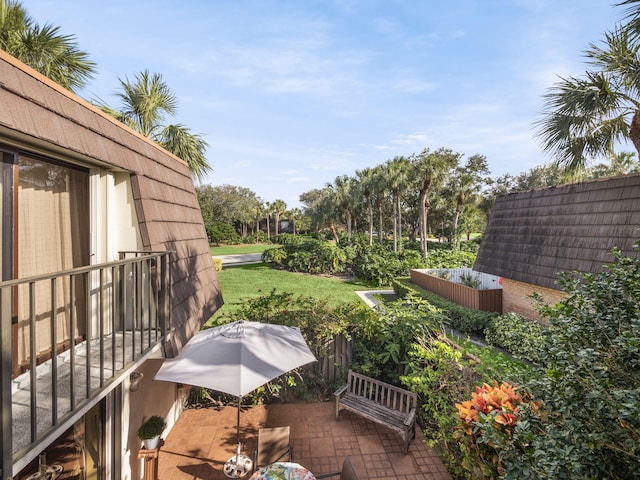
(489, 300)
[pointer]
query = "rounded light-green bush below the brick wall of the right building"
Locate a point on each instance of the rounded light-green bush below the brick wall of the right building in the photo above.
(523, 338)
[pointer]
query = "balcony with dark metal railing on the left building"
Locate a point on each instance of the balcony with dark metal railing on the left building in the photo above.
(69, 338)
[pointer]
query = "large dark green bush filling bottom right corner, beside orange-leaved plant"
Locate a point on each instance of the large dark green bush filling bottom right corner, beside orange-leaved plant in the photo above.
(588, 424)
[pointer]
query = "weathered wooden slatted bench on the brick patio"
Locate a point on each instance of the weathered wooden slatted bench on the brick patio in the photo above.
(379, 402)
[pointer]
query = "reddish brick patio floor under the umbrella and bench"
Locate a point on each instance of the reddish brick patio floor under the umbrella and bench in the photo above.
(202, 440)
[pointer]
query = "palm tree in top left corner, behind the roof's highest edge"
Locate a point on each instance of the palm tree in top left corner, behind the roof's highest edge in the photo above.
(43, 48)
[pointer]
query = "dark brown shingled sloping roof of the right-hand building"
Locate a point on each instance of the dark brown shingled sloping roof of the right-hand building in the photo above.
(532, 236)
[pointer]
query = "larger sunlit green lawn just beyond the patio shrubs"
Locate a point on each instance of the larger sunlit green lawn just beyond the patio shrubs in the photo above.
(252, 281)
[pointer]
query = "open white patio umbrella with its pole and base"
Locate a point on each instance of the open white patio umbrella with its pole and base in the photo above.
(237, 358)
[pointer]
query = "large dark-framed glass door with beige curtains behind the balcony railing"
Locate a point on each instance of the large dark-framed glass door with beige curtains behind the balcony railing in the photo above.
(45, 229)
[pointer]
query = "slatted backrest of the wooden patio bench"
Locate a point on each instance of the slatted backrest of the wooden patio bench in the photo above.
(390, 396)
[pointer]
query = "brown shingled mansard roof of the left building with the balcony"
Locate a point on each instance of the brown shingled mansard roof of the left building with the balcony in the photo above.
(37, 112)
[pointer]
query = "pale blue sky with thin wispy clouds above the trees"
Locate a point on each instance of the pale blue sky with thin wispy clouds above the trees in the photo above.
(290, 94)
